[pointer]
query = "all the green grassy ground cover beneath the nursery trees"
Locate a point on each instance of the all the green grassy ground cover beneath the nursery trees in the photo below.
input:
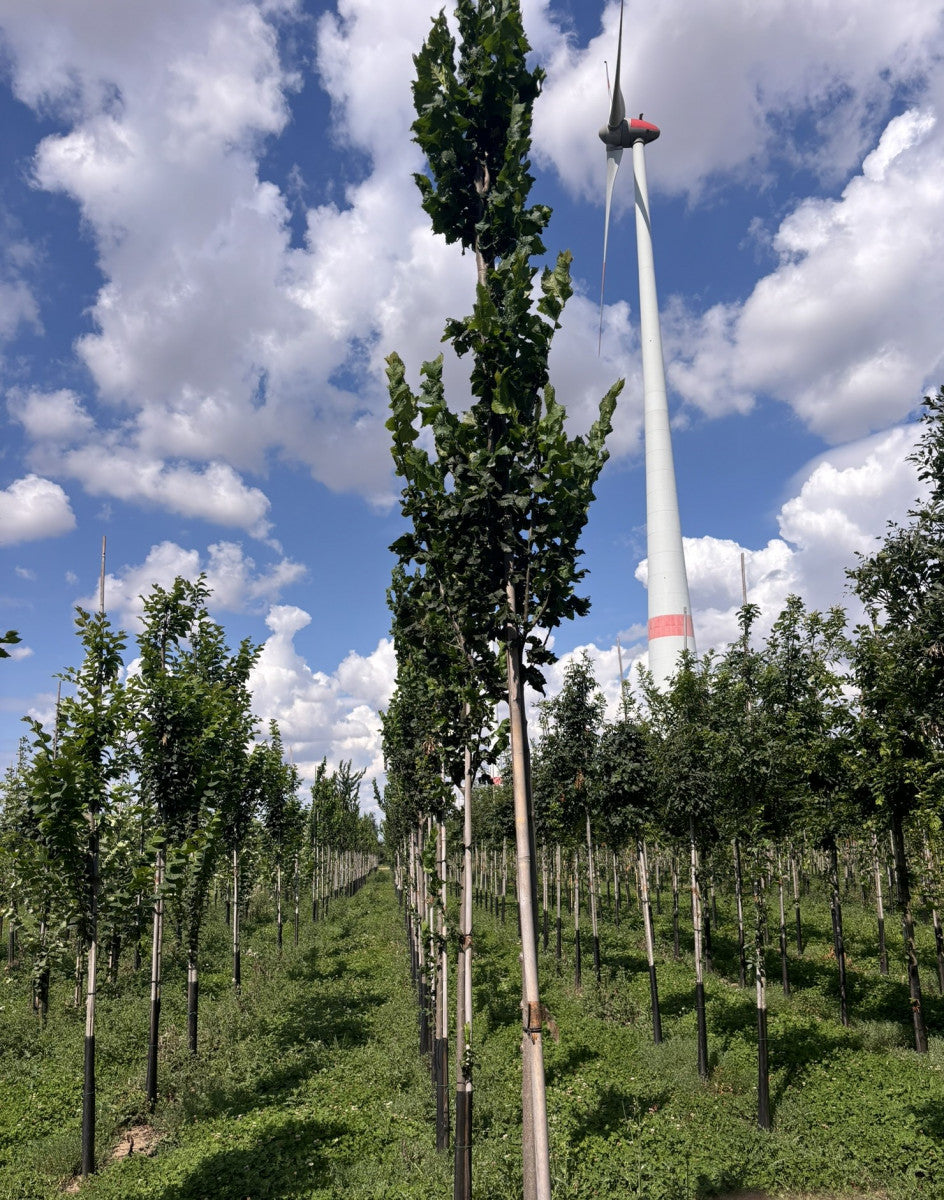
(310, 1087)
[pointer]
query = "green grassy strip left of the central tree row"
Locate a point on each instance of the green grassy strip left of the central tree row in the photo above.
(309, 1085)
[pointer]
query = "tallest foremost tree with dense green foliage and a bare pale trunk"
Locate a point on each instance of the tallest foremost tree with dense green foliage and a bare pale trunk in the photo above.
(497, 509)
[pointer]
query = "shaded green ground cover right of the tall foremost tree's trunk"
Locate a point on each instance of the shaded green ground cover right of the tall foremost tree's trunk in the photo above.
(856, 1111)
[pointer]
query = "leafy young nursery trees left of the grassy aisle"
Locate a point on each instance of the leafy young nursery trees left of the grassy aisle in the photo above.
(152, 791)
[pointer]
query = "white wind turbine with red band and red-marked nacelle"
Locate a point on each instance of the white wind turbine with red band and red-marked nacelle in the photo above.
(671, 629)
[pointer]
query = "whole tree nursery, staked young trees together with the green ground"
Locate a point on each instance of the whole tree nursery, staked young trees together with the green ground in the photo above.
(694, 950)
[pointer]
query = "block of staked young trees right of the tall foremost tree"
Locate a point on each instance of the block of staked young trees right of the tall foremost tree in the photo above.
(756, 766)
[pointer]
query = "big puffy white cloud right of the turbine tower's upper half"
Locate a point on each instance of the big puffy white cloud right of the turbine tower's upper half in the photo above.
(846, 329)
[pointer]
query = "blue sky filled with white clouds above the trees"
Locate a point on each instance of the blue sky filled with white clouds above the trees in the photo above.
(211, 241)
